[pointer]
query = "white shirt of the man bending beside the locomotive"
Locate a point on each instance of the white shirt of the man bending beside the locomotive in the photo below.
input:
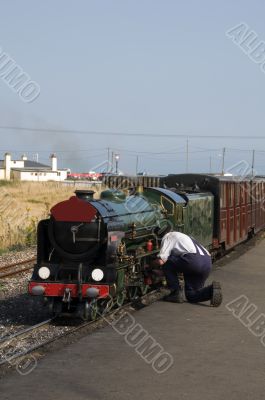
(181, 243)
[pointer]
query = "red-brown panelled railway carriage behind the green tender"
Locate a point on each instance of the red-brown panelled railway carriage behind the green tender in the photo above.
(238, 205)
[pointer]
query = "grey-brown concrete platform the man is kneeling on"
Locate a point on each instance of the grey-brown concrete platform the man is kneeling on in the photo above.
(215, 355)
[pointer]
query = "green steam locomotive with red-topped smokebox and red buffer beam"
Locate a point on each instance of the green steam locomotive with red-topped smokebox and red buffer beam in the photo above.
(91, 250)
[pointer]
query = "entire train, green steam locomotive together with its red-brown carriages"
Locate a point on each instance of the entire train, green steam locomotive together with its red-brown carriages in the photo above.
(92, 250)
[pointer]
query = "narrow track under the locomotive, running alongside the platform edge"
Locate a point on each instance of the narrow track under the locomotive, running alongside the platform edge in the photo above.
(12, 344)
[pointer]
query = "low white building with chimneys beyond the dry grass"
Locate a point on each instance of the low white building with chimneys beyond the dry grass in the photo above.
(26, 170)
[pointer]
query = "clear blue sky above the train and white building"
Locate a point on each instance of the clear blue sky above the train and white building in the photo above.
(141, 66)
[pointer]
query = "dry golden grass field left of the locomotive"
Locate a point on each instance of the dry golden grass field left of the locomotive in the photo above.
(22, 205)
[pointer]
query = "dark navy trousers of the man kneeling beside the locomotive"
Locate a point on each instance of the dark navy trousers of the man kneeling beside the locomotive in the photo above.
(196, 269)
